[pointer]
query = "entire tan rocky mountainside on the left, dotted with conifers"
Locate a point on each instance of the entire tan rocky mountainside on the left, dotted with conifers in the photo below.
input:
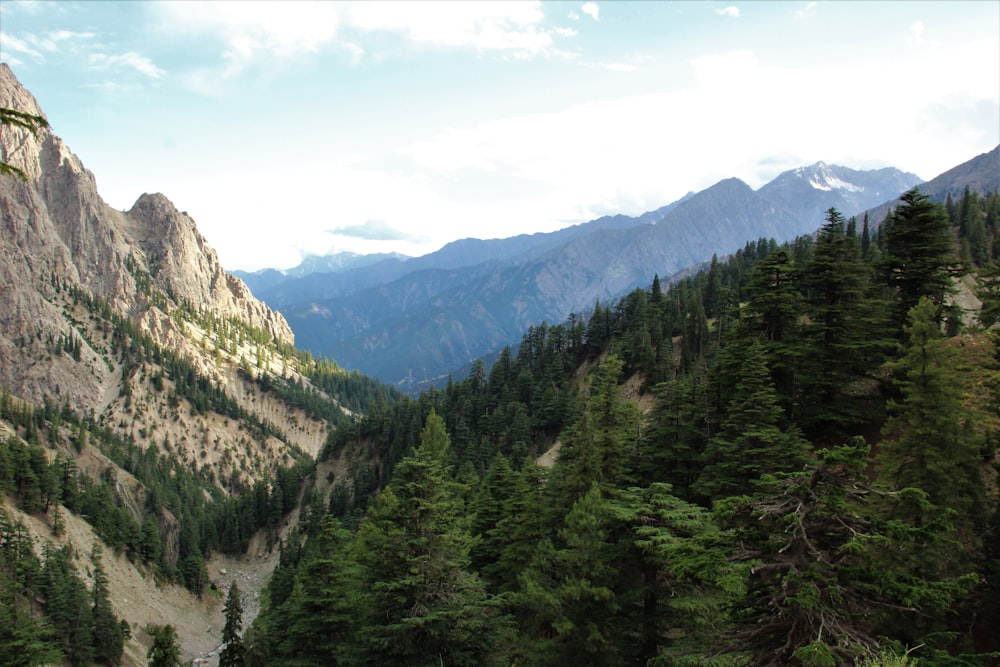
(154, 416)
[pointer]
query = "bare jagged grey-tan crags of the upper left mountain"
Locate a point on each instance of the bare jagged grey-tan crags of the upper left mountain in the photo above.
(55, 230)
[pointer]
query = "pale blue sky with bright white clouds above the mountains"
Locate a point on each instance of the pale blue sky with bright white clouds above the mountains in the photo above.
(302, 128)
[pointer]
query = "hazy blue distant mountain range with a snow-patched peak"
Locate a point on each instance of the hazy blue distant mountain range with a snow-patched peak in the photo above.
(405, 321)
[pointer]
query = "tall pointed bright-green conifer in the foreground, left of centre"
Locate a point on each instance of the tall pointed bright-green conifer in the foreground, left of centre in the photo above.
(428, 609)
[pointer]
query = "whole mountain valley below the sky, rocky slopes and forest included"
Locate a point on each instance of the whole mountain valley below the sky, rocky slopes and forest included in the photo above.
(723, 432)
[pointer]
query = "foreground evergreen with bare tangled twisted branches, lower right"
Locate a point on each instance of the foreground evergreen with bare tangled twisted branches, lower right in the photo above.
(827, 571)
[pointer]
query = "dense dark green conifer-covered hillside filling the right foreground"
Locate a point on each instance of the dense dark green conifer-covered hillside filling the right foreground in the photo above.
(788, 458)
